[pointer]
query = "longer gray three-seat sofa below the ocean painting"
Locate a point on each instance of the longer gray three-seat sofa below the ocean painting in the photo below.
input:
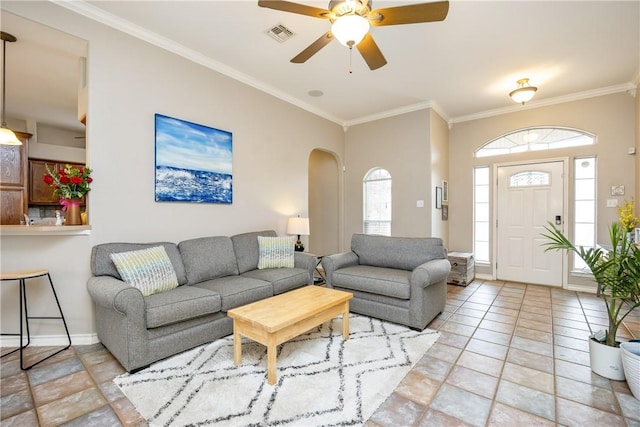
(214, 275)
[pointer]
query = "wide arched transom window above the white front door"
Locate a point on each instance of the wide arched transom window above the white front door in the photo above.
(535, 139)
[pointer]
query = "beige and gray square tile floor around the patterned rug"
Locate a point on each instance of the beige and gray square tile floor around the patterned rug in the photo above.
(509, 354)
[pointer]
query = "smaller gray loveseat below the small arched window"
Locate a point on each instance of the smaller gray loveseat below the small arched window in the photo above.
(399, 279)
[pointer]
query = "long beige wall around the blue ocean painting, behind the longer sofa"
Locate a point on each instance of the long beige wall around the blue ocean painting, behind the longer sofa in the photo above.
(129, 81)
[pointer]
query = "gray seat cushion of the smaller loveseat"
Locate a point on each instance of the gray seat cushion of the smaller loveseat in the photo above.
(376, 280)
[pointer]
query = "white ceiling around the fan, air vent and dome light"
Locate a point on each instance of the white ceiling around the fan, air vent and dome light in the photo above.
(464, 67)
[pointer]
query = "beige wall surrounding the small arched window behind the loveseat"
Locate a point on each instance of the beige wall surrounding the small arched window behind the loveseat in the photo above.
(401, 145)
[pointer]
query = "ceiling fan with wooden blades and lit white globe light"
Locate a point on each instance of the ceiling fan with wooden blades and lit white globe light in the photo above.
(350, 21)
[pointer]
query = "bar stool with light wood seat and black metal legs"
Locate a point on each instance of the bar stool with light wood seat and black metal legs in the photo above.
(22, 276)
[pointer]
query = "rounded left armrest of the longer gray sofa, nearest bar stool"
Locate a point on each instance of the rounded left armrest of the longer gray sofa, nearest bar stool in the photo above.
(115, 294)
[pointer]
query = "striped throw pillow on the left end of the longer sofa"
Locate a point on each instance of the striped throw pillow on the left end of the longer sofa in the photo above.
(150, 270)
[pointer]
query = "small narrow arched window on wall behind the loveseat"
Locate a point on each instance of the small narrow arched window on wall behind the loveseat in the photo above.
(377, 202)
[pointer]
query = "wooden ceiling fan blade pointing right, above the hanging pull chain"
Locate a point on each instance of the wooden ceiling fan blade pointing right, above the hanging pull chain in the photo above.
(410, 14)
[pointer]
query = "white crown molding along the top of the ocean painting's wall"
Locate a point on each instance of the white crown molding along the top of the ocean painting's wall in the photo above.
(83, 8)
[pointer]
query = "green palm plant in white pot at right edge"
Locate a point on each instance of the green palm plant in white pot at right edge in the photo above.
(616, 271)
